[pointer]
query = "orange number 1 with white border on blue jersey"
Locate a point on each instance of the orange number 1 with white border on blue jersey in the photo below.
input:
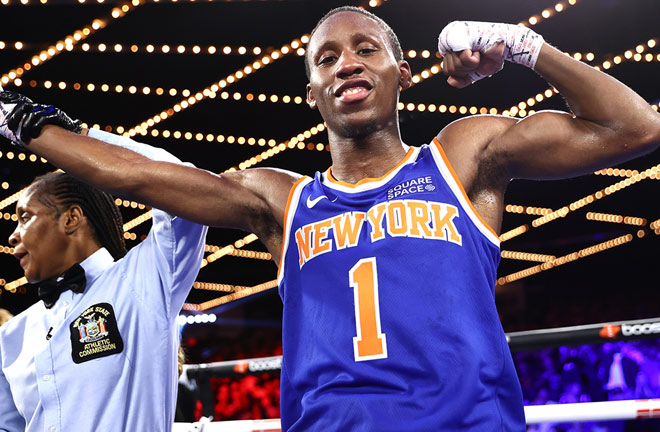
(369, 344)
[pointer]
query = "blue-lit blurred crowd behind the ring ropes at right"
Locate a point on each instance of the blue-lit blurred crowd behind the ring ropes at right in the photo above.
(592, 373)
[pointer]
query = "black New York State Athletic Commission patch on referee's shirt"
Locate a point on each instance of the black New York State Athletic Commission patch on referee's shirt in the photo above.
(95, 334)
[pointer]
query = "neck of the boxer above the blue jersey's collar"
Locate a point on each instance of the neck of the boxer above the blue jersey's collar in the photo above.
(355, 159)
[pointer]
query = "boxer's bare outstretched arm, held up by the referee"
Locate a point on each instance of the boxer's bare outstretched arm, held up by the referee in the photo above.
(251, 200)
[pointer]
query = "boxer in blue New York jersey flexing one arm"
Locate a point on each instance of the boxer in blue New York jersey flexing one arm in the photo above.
(388, 259)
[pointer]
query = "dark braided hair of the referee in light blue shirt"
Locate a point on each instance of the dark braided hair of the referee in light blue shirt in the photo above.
(60, 191)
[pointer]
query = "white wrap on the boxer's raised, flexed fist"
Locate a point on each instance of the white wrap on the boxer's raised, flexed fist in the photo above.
(522, 44)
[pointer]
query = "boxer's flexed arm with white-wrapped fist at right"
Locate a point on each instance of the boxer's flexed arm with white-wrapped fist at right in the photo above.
(609, 123)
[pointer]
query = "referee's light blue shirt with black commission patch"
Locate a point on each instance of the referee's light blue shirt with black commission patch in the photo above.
(44, 389)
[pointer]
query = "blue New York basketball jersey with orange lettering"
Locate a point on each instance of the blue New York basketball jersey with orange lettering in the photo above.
(389, 306)
